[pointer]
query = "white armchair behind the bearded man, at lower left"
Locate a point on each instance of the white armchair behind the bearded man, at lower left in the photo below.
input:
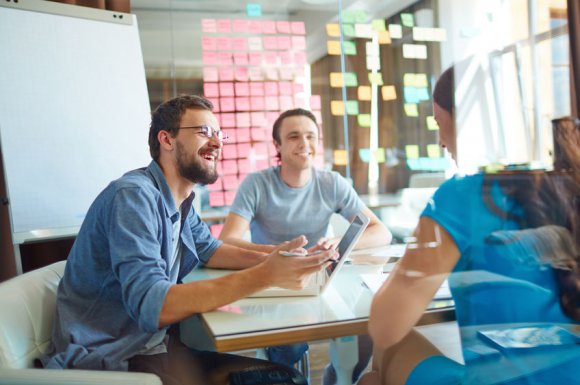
(27, 305)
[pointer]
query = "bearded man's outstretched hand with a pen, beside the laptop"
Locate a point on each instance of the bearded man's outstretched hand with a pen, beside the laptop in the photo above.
(294, 272)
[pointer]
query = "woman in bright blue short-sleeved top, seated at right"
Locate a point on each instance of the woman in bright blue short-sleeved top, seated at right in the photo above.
(508, 244)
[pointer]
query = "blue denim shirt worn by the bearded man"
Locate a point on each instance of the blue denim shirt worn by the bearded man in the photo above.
(117, 273)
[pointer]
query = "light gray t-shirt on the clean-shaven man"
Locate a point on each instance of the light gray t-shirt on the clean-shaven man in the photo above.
(278, 213)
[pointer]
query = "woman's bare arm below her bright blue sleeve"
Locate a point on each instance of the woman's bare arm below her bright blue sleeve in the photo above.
(403, 298)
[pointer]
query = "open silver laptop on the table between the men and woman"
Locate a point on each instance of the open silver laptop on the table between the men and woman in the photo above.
(318, 282)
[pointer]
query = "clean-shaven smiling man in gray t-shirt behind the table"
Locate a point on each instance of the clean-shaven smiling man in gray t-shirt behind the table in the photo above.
(295, 198)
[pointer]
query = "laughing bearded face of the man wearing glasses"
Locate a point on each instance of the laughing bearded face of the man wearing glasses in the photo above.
(196, 155)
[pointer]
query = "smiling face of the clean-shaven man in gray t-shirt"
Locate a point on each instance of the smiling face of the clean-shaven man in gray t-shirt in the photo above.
(298, 142)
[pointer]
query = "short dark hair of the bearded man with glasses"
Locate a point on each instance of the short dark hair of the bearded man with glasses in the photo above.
(167, 116)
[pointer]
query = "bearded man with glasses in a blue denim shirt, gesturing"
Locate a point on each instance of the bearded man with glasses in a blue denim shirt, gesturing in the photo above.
(121, 288)
